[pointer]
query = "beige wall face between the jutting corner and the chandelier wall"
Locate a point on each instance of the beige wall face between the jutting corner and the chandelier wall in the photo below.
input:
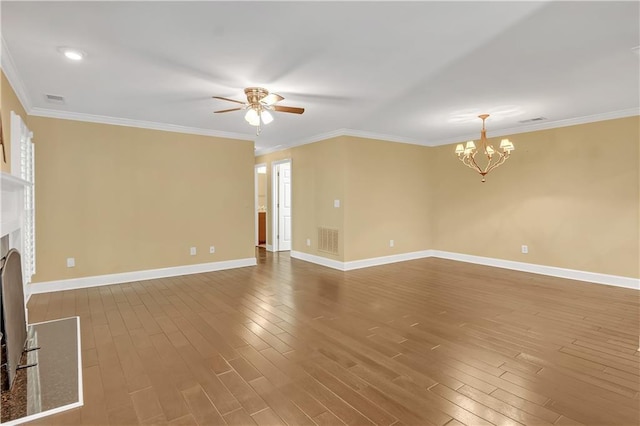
(387, 198)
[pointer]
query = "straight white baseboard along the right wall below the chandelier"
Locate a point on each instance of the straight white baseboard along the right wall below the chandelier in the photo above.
(572, 274)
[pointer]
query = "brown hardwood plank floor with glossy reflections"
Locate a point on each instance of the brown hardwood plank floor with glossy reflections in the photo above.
(425, 342)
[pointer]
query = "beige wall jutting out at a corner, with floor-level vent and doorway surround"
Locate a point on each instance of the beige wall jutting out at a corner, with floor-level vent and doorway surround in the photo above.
(383, 191)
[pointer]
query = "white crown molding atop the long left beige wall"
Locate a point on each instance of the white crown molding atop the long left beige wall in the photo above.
(115, 121)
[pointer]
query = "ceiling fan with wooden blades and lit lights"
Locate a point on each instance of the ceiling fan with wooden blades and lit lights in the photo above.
(258, 105)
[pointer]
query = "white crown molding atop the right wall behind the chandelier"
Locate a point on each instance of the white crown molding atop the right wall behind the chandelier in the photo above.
(630, 112)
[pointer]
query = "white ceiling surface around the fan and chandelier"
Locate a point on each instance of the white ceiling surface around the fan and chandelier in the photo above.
(387, 69)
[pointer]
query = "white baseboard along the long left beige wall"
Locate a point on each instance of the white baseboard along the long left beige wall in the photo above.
(125, 277)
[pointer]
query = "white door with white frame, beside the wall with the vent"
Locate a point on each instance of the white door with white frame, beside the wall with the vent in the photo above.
(281, 224)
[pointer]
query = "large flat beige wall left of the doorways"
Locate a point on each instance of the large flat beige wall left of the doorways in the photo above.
(122, 199)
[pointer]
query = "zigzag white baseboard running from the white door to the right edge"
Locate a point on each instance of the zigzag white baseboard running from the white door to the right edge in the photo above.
(572, 274)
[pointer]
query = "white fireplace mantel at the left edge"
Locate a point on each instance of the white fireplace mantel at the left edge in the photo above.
(11, 203)
